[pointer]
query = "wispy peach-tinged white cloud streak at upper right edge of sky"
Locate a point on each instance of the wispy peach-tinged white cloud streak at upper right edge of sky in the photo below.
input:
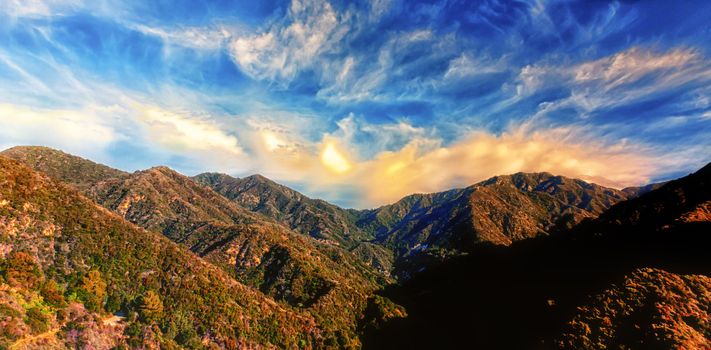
(617, 79)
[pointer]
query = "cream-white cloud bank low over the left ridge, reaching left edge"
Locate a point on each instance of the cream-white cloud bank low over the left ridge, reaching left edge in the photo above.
(96, 130)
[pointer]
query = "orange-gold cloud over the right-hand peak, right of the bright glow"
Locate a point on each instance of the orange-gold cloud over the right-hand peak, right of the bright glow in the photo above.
(391, 175)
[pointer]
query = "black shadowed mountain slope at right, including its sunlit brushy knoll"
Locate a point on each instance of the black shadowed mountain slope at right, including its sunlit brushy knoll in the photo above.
(636, 276)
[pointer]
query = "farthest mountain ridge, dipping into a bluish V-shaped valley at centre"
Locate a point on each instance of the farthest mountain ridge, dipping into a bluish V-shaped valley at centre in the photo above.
(500, 210)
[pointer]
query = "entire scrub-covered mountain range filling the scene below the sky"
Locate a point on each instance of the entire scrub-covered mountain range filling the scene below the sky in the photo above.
(247, 262)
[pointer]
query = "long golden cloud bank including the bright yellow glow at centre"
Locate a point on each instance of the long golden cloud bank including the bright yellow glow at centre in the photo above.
(419, 162)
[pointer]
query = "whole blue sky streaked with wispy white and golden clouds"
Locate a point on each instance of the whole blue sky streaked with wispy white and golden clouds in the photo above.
(363, 102)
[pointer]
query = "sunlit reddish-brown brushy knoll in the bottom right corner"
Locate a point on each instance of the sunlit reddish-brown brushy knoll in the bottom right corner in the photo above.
(651, 309)
